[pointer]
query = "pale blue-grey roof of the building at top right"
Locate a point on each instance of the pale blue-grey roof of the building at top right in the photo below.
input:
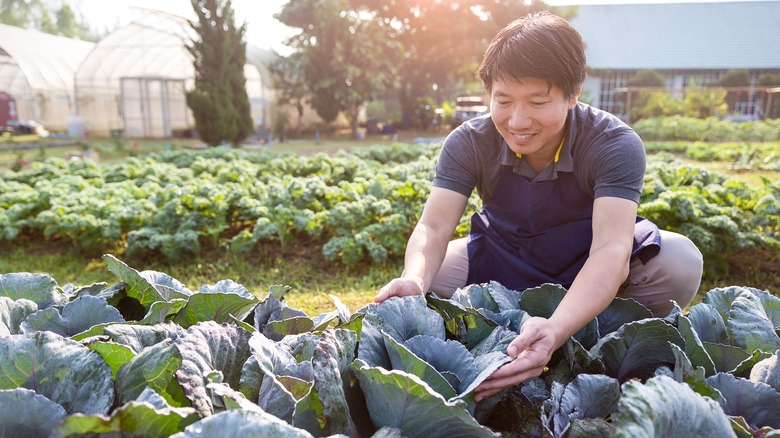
(715, 35)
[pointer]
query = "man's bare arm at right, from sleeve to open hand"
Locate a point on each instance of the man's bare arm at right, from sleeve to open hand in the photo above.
(593, 289)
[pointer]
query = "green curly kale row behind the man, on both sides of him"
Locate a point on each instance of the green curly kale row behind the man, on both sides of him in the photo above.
(357, 206)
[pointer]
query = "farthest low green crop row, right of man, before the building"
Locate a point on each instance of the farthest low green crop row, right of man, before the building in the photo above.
(710, 129)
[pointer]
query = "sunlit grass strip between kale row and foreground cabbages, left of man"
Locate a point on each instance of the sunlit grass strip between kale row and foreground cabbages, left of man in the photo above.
(311, 278)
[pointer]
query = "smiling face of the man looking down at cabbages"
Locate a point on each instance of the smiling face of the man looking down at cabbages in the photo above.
(530, 116)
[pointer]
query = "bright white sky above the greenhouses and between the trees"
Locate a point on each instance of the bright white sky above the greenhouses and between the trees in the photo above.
(263, 30)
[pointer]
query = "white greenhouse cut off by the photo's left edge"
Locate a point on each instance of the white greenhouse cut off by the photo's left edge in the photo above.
(37, 71)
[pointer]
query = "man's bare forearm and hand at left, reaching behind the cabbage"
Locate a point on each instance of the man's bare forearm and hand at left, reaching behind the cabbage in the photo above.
(428, 244)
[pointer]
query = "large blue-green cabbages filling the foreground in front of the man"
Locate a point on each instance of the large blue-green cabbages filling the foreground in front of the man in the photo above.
(146, 356)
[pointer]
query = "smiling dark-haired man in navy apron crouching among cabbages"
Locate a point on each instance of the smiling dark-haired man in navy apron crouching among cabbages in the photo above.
(560, 184)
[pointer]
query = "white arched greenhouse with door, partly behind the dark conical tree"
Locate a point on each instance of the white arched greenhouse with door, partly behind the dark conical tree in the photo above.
(133, 81)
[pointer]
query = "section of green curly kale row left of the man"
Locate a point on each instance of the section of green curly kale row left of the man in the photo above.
(355, 206)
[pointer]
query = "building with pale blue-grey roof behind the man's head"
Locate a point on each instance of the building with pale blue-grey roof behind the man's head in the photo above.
(689, 44)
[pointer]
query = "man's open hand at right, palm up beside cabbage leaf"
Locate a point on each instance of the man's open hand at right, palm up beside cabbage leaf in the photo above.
(532, 349)
